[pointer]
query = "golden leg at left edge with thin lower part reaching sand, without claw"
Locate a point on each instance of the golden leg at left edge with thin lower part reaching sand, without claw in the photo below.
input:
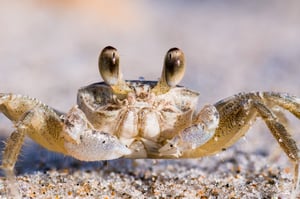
(26, 114)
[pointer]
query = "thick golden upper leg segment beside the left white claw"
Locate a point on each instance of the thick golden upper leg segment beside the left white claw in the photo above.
(40, 122)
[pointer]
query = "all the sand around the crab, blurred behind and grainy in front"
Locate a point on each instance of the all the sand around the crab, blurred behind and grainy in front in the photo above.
(48, 49)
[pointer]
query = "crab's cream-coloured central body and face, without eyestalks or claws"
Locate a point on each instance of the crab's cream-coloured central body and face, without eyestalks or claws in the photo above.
(141, 119)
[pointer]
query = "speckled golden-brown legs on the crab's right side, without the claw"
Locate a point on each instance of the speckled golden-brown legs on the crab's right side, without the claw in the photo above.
(237, 113)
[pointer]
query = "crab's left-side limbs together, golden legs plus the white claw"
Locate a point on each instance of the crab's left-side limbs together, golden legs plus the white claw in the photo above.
(70, 134)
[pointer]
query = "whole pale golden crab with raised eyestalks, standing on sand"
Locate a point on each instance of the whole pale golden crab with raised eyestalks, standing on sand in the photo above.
(144, 119)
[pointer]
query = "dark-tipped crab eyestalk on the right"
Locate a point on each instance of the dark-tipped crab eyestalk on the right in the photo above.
(173, 71)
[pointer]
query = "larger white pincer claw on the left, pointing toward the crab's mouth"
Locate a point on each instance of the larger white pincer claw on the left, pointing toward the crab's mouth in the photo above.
(87, 144)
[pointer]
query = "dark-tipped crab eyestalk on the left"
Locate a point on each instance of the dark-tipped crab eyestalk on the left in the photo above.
(109, 68)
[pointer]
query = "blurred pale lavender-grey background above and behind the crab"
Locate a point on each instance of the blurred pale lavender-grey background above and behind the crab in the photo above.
(48, 49)
